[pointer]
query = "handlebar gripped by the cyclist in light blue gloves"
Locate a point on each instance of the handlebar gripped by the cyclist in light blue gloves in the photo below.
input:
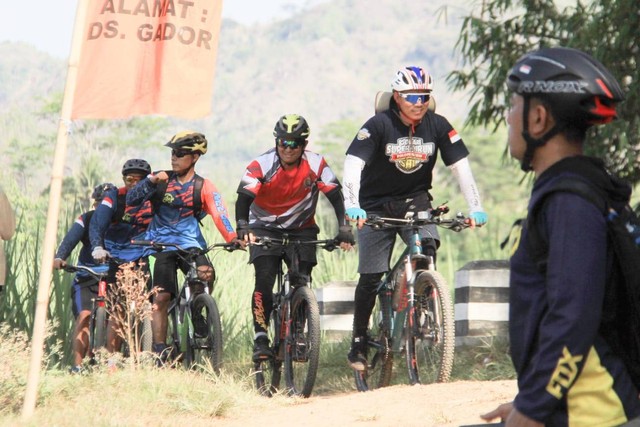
(418, 219)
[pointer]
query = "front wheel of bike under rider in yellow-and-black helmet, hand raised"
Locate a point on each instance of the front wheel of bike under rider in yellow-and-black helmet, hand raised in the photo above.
(206, 342)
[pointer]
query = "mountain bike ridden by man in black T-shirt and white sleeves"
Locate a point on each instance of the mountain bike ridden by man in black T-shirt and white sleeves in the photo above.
(415, 312)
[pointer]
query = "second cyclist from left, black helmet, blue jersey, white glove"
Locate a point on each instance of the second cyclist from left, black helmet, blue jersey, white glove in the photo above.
(115, 223)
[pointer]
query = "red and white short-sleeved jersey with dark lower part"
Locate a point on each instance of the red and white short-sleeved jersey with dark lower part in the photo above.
(286, 199)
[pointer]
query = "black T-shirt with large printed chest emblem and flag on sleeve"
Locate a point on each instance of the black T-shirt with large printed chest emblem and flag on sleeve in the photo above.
(399, 159)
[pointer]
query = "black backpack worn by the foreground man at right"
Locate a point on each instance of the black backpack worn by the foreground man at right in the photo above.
(620, 324)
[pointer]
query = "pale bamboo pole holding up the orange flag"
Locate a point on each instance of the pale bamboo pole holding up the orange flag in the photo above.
(51, 230)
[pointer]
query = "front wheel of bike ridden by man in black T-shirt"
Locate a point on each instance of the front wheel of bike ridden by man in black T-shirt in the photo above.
(430, 330)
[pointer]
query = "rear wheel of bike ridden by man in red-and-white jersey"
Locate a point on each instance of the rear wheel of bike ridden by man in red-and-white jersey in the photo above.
(268, 373)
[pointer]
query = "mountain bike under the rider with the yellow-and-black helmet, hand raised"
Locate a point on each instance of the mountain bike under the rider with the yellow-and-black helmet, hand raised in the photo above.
(195, 328)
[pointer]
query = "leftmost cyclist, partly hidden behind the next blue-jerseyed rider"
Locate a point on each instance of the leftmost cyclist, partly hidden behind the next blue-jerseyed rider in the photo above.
(84, 287)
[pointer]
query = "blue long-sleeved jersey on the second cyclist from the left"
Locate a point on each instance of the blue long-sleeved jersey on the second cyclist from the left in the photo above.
(115, 234)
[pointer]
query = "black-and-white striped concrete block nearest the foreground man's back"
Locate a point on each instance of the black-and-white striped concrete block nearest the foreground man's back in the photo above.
(482, 301)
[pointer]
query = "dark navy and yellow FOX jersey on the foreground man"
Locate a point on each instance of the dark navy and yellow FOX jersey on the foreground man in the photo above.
(565, 368)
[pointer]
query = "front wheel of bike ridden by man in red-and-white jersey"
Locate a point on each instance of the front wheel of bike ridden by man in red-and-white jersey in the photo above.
(302, 345)
